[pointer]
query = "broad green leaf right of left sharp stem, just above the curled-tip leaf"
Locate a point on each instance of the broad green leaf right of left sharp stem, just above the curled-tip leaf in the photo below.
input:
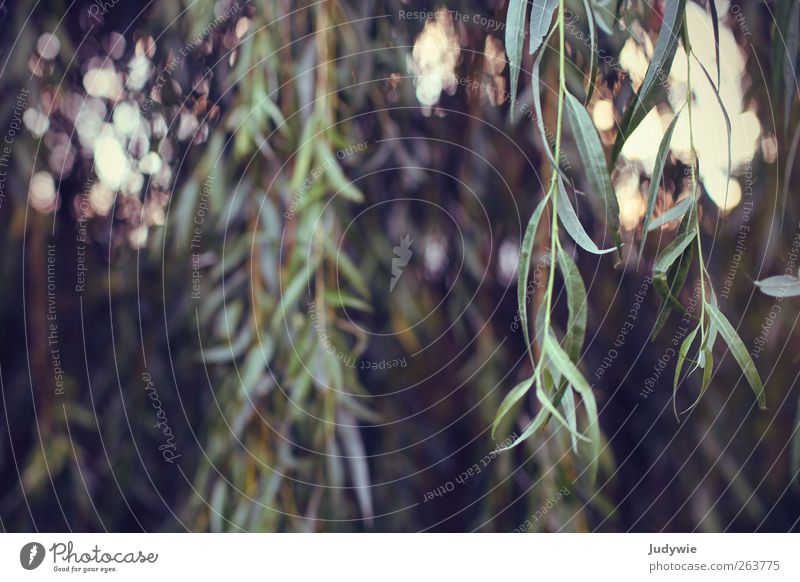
(591, 152)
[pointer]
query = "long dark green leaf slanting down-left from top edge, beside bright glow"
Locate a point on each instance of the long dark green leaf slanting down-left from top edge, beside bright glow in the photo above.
(657, 74)
